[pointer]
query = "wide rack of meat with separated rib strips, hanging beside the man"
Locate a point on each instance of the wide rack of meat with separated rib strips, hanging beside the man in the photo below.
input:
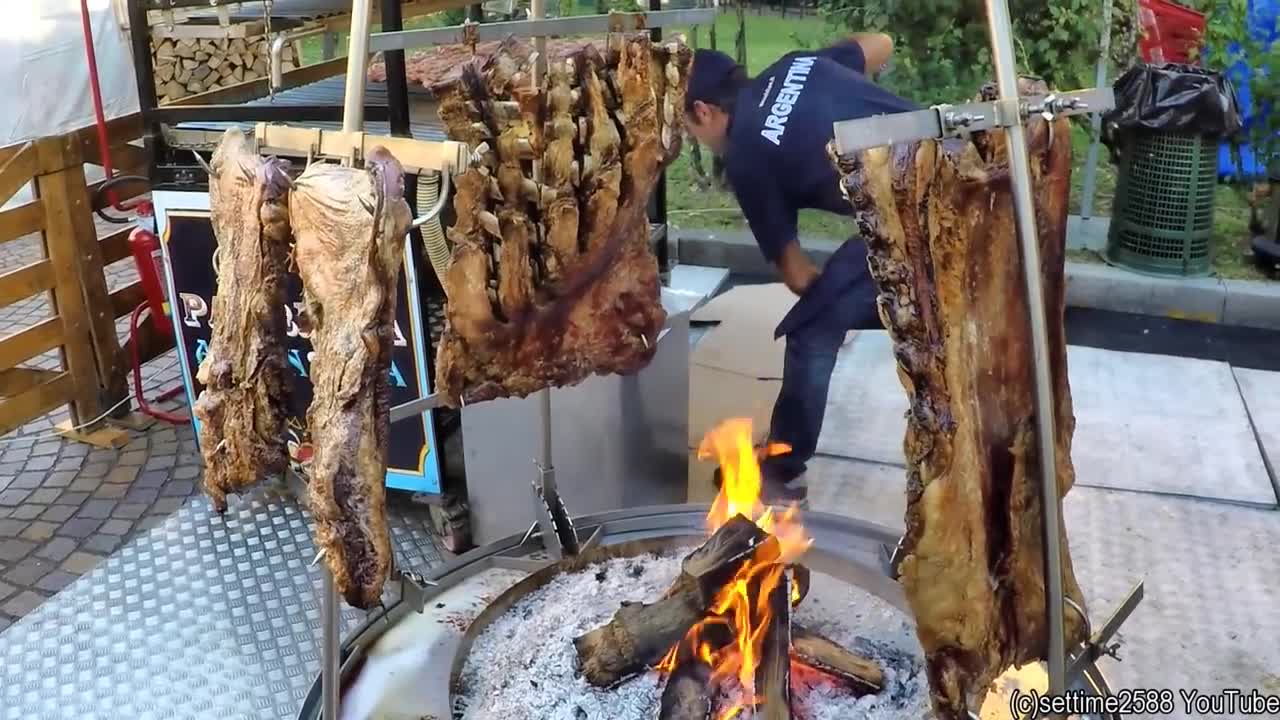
(554, 281)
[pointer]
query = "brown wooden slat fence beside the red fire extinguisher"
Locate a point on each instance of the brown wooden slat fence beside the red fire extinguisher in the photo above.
(83, 329)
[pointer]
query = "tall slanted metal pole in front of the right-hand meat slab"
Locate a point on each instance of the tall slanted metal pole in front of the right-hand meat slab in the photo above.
(1025, 211)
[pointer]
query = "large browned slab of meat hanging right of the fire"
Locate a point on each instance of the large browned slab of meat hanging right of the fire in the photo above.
(943, 245)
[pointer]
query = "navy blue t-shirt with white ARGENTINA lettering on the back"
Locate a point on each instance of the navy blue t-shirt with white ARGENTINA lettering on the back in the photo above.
(776, 158)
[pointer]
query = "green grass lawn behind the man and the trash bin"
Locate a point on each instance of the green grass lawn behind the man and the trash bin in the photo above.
(771, 37)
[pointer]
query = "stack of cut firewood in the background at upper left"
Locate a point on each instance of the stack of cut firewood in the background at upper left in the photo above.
(189, 66)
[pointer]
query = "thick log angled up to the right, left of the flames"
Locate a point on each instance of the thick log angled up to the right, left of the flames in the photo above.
(641, 635)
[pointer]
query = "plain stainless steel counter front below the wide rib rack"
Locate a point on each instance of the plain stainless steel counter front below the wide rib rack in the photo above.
(618, 441)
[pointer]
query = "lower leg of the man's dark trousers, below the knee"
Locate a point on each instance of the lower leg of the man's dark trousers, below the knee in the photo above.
(807, 367)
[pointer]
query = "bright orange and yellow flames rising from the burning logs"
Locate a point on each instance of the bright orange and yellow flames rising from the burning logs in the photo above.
(743, 604)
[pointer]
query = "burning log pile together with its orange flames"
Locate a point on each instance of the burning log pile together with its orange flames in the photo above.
(725, 627)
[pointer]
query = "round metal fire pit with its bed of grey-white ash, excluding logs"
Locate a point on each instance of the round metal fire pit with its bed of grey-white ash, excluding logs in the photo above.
(496, 631)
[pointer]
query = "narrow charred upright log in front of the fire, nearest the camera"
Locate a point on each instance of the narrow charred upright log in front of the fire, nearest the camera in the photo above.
(774, 673)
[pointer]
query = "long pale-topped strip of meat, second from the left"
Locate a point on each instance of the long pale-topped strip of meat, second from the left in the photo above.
(350, 225)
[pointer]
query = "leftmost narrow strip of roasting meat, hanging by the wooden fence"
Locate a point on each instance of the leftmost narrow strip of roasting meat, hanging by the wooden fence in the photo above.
(241, 409)
